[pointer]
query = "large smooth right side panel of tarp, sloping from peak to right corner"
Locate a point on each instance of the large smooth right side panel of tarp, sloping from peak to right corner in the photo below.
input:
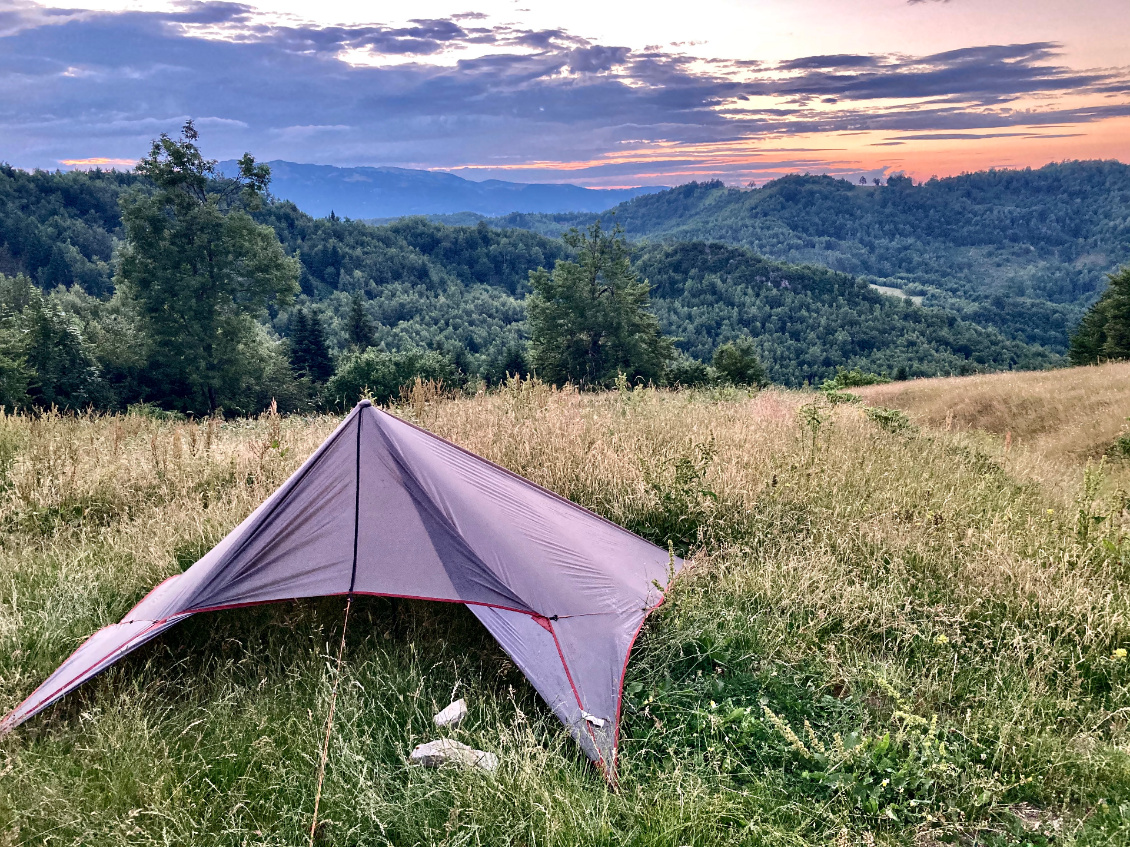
(557, 557)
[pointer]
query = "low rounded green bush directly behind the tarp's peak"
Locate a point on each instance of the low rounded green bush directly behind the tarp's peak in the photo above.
(380, 376)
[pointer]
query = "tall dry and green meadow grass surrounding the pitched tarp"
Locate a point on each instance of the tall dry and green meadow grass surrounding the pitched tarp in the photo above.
(889, 635)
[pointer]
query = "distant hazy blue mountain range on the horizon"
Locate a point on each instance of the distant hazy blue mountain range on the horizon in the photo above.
(394, 193)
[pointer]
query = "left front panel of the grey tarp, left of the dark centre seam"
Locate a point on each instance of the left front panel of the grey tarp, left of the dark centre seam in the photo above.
(298, 545)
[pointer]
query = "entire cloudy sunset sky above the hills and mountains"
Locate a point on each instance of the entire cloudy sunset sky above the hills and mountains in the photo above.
(595, 93)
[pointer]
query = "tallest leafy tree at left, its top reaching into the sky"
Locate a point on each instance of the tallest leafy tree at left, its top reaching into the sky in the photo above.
(201, 272)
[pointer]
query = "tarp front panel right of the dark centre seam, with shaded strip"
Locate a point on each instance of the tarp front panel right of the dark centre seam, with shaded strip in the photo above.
(405, 547)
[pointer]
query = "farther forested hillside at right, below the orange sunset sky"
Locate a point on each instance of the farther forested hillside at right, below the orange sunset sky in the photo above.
(1022, 251)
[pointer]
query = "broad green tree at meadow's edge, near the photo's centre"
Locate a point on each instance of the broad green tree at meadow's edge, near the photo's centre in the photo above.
(590, 319)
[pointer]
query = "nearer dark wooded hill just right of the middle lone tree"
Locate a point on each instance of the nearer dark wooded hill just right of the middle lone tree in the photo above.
(809, 321)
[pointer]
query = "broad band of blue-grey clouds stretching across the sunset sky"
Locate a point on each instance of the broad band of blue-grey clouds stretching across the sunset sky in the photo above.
(448, 92)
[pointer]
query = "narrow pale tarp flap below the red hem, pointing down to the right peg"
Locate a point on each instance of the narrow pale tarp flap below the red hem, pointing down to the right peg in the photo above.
(535, 653)
